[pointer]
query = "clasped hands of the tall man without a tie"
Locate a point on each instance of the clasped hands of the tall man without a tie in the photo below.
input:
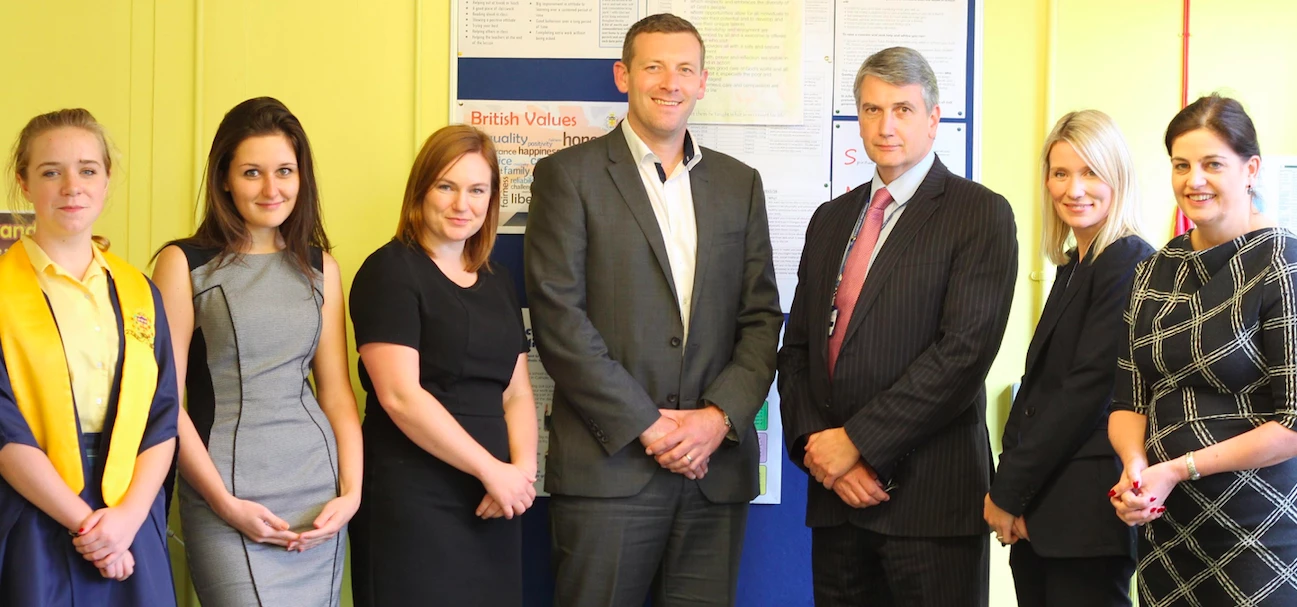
(683, 442)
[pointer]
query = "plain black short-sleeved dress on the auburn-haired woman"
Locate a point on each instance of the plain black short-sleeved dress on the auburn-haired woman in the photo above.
(416, 539)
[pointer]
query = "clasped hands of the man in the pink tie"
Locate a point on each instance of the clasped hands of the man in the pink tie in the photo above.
(837, 465)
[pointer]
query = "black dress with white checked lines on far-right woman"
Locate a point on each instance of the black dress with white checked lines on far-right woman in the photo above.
(1213, 355)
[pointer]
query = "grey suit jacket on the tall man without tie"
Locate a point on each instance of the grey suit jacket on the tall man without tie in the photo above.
(608, 324)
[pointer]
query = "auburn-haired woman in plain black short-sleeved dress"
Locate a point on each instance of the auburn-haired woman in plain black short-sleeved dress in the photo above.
(451, 423)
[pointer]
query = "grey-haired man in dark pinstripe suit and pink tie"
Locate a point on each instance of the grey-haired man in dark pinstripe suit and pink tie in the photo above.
(903, 296)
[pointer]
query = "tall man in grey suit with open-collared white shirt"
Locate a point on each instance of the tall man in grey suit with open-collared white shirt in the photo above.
(654, 308)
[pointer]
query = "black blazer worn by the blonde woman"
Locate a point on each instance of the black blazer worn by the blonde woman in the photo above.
(1058, 465)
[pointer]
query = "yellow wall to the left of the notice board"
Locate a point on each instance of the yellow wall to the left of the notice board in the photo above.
(368, 81)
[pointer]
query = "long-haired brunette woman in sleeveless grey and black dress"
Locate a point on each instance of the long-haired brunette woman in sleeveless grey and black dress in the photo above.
(270, 469)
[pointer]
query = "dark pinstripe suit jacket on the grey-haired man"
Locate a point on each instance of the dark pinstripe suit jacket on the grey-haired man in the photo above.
(910, 383)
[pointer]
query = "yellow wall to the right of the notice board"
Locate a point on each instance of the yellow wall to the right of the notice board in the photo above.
(1047, 58)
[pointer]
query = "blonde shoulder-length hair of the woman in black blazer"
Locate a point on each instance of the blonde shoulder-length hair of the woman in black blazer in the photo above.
(1099, 142)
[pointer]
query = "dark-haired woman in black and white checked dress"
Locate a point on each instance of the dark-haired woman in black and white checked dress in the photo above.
(1207, 395)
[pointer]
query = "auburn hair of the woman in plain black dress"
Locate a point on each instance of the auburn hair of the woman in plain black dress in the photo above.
(443, 150)
